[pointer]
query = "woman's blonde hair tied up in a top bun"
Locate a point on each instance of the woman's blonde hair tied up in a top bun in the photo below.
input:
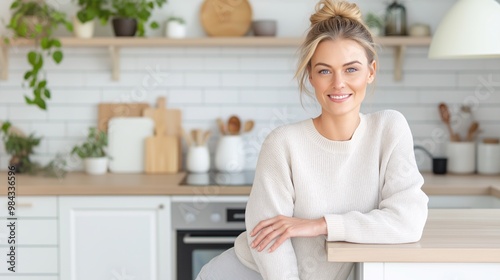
(333, 20)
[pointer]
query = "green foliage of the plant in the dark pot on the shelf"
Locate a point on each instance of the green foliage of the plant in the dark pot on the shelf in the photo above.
(140, 10)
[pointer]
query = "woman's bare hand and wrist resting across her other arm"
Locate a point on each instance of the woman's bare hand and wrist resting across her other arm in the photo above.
(282, 228)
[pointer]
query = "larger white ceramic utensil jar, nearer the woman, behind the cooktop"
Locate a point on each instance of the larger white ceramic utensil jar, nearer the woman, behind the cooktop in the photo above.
(230, 154)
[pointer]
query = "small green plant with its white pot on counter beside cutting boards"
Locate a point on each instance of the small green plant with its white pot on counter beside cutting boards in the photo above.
(92, 152)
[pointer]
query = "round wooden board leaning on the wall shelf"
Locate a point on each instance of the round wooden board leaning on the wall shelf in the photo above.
(226, 17)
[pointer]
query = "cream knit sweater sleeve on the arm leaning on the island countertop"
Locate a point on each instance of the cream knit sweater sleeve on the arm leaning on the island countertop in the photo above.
(402, 210)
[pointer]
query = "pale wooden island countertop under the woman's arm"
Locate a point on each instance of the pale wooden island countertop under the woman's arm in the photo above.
(450, 235)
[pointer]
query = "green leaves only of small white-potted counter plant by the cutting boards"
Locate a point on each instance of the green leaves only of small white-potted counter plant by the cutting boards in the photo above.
(94, 145)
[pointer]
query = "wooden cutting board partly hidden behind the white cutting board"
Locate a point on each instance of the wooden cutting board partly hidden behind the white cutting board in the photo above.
(106, 111)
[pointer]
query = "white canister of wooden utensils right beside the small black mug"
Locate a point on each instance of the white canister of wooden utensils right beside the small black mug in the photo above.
(461, 157)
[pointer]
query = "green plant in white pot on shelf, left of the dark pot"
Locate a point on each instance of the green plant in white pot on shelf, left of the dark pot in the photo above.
(89, 10)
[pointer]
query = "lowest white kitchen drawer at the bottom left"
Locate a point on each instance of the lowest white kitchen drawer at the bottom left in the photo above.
(32, 260)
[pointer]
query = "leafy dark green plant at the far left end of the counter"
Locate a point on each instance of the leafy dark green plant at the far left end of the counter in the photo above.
(20, 148)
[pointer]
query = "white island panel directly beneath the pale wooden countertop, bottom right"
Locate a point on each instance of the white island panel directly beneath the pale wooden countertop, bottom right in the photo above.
(430, 271)
